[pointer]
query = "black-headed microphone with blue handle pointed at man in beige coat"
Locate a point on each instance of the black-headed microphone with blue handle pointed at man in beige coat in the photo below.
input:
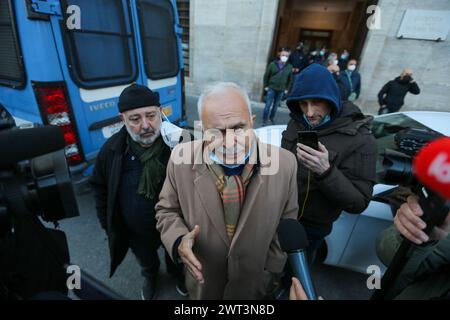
(293, 241)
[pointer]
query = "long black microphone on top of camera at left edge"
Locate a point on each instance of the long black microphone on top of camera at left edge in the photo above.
(22, 144)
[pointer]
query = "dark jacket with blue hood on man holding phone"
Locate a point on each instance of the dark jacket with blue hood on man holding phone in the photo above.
(348, 184)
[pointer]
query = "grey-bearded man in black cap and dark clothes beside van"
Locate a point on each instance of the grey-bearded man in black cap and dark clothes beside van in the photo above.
(127, 179)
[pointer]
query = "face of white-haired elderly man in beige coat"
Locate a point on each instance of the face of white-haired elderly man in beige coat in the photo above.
(228, 126)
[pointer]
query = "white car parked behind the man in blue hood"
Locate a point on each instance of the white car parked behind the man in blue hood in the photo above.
(351, 244)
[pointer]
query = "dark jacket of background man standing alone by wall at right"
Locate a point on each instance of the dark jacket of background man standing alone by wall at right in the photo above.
(393, 93)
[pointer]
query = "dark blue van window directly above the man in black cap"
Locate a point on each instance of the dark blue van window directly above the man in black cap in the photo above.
(102, 52)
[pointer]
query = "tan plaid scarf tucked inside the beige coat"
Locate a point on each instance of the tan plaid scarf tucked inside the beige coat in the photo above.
(232, 192)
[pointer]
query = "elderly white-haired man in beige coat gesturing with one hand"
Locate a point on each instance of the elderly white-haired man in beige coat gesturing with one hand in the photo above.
(222, 201)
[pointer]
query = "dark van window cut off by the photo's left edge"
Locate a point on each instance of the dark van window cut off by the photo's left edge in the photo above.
(12, 72)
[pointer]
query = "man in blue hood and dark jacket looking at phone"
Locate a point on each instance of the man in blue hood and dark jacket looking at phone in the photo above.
(339, 175)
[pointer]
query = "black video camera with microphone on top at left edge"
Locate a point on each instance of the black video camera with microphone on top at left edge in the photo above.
(34, 176)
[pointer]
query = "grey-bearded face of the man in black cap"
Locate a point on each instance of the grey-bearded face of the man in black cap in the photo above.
(143, 124)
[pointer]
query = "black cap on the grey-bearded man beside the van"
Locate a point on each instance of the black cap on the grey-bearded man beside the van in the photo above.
(137, 96)
